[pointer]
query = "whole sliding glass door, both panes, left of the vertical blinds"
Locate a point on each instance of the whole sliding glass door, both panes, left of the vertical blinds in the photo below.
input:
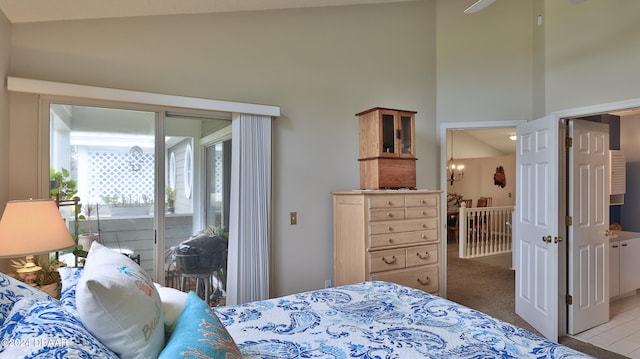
(141, 195)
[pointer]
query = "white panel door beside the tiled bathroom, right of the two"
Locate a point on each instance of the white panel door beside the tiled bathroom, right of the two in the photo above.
(588, 206)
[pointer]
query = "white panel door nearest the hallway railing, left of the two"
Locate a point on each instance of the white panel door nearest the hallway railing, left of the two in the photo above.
(536, 224)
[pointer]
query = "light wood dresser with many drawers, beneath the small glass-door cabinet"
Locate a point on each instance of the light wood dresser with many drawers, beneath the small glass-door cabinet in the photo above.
(390, 235)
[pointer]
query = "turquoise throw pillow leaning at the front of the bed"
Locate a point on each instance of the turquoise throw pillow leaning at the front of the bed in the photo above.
(199, 334)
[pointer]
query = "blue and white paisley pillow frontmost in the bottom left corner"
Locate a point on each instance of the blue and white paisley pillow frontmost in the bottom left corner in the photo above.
(43, 329)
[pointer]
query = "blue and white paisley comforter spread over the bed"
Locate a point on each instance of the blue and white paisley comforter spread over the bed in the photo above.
(377, 320)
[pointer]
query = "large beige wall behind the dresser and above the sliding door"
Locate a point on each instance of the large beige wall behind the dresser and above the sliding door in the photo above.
(322, 66)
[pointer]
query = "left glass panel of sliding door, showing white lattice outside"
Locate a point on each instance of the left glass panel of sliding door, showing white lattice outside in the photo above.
(110, 153)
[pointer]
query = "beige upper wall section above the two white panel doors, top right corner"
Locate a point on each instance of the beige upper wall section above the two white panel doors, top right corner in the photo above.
(592, 52)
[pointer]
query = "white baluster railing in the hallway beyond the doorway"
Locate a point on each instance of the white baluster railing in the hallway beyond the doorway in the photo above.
(484, 231)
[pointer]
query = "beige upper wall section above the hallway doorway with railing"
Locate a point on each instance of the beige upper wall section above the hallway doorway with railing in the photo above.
(484, 62)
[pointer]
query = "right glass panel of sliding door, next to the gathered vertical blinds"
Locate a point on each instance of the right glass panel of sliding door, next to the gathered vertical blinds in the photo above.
(196, 198)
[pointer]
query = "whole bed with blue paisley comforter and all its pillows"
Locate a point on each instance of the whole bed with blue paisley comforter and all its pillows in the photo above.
(111, 309)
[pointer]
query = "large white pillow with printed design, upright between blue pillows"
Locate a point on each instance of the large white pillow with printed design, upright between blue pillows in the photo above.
(119, 304)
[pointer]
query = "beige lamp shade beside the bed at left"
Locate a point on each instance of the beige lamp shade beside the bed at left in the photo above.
(32, 227)
